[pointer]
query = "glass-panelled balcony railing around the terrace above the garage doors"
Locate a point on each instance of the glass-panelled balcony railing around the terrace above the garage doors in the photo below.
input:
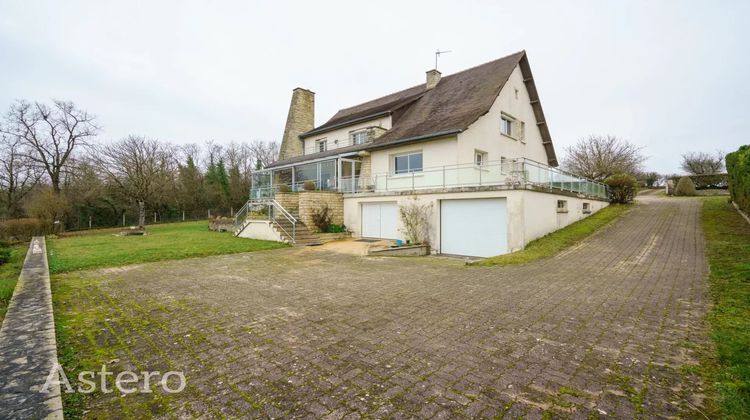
(509, 172)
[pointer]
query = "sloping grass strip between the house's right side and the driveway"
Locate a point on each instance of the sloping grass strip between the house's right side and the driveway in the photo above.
(559, 240)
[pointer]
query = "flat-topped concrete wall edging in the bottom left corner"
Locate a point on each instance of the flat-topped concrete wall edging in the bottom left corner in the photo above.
(28, 350)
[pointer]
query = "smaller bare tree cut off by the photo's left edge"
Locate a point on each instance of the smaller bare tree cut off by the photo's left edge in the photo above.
(17, 174)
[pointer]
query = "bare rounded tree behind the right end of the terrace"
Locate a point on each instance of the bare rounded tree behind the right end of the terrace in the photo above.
(598, 157)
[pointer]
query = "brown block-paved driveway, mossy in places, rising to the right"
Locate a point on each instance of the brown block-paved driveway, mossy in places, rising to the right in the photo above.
(608, 328)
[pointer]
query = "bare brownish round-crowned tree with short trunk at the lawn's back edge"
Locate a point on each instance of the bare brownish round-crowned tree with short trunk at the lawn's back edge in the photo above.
(138, 166)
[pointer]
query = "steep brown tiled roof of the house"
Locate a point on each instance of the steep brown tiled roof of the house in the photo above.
(452, 106)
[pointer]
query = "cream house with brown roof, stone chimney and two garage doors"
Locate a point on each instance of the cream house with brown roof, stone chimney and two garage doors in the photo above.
(474, 144)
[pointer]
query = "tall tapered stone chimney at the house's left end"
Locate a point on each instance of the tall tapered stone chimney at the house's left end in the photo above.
(301, 119)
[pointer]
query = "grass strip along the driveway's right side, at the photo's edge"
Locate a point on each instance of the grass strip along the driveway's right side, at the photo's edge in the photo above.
(728, 249)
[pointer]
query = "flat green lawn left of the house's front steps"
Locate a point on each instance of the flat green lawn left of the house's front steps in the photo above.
(162, 242)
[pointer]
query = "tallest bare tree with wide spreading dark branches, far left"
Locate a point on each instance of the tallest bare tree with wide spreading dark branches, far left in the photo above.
(50, 134)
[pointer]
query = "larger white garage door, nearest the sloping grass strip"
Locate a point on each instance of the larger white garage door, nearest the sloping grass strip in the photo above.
(477, 227)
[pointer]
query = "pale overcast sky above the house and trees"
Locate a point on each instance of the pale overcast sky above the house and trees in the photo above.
(668, 75)
